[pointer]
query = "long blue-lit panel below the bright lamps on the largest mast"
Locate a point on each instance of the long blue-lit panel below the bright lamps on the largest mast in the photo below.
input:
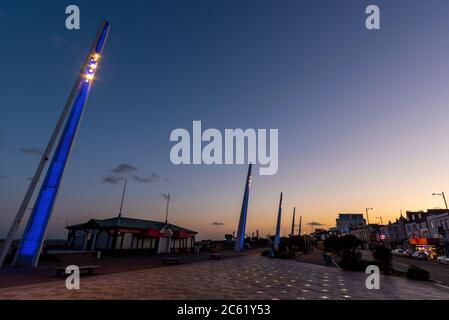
(45, 201)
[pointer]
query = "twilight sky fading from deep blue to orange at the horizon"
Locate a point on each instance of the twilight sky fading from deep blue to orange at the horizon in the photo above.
(362, 115)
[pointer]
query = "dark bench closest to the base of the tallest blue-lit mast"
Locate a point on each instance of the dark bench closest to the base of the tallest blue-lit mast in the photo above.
(85, 261)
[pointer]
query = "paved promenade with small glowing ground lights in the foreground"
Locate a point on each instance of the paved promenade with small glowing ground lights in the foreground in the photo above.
(248, 277)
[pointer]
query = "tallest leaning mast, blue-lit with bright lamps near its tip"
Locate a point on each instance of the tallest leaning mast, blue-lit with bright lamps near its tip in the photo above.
(34, 234)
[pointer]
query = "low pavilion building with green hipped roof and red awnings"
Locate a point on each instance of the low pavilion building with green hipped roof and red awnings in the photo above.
(122, 234)
